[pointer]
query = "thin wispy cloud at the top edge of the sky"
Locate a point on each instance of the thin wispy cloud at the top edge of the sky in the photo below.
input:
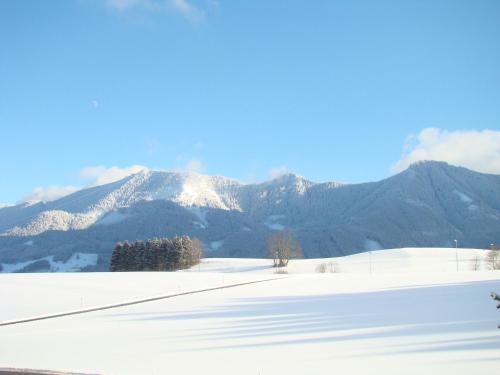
(184, 7)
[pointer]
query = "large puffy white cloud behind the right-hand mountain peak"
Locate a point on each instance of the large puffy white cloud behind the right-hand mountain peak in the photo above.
(477, 150)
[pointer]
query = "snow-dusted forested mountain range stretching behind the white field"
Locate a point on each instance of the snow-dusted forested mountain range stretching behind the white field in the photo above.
(429, 204)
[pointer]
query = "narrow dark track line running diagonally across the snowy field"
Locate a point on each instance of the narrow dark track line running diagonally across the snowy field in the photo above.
(129, 303)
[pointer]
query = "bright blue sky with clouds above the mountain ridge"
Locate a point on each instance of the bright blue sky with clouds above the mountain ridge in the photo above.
(333, 90)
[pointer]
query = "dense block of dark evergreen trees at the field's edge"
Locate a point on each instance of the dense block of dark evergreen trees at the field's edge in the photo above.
(156, 255)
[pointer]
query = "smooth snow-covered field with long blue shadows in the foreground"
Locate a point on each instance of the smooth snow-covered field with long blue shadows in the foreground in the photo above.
(392, 311)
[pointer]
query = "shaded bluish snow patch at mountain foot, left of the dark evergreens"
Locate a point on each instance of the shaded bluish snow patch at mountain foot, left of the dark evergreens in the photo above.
(75, 263)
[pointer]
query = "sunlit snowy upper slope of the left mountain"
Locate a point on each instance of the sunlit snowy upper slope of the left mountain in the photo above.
(89, 206)
